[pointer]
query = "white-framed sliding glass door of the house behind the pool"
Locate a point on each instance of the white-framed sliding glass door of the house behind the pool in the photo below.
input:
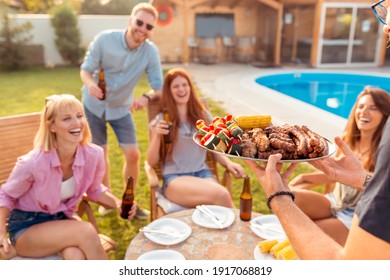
(349, 34)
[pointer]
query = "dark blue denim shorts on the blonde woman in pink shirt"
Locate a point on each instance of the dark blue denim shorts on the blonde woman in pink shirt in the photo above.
(19, 221)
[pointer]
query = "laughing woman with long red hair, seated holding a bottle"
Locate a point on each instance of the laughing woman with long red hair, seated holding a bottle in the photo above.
(187, 179)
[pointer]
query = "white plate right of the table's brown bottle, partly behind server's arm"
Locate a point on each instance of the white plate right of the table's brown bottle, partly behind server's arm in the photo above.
(268, 221)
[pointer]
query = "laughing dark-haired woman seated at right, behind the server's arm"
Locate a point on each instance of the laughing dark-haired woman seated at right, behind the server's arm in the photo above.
(333, 212)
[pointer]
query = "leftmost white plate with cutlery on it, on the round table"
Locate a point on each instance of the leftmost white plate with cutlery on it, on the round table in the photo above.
(168, 224)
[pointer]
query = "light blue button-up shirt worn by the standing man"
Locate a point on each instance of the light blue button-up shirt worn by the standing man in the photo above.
(122, 68)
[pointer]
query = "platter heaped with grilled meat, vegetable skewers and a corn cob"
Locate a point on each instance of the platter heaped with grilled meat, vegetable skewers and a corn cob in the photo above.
(254, 137)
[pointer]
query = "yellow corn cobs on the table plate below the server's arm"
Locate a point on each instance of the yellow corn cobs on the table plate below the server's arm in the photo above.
(280, 250)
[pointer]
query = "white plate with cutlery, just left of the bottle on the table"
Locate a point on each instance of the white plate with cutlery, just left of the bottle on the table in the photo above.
(225, 214)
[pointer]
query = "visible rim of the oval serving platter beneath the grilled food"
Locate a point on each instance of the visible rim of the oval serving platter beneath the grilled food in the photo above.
(331, 146)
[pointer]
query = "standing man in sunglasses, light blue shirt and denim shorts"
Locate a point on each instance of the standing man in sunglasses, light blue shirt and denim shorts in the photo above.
(124, 56)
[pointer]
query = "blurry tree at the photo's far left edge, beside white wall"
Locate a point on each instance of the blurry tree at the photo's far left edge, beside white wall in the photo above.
(14, 39)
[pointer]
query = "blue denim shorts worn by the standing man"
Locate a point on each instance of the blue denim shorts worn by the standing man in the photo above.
(124, 129)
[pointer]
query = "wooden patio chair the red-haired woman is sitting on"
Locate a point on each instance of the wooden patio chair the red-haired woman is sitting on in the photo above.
(160, 205)
